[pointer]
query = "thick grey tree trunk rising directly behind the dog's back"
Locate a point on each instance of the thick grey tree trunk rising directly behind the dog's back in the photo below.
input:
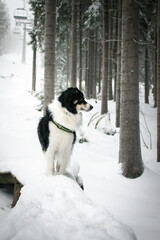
(49, 62)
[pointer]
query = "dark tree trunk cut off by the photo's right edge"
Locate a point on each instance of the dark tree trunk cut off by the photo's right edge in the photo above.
(158, 83)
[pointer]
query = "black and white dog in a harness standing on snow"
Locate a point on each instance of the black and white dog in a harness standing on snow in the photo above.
(57, 129)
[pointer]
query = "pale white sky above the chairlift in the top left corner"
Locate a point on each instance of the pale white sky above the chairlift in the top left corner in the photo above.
(12, 5)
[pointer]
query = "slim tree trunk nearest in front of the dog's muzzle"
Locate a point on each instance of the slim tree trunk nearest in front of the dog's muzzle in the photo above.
(104, 106)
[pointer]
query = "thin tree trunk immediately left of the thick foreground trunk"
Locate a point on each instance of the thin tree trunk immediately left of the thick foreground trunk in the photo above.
(118, 64)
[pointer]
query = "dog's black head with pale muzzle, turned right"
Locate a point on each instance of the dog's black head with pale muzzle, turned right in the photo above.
(73, 100)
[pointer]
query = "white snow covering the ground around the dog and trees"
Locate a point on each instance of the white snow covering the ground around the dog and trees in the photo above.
(111, 206)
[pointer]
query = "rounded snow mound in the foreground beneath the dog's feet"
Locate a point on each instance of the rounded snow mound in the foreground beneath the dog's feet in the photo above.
(56, 208)
